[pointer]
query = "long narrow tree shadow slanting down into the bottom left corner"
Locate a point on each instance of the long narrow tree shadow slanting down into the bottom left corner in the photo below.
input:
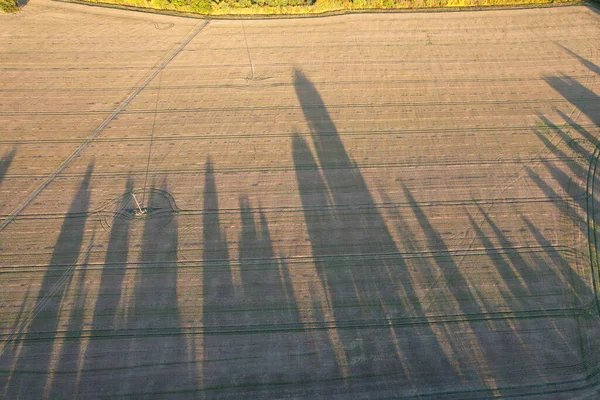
(31, 372)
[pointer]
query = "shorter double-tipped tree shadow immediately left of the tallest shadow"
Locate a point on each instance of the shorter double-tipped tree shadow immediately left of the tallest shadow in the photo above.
(267, 298)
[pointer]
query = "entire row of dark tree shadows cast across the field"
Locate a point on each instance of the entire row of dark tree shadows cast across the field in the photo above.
(256, 341)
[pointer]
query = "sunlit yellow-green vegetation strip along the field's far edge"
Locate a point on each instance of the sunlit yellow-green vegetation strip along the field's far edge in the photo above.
(299, 7)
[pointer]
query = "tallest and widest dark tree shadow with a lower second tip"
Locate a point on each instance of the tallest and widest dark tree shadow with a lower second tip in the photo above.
(367, 280)
